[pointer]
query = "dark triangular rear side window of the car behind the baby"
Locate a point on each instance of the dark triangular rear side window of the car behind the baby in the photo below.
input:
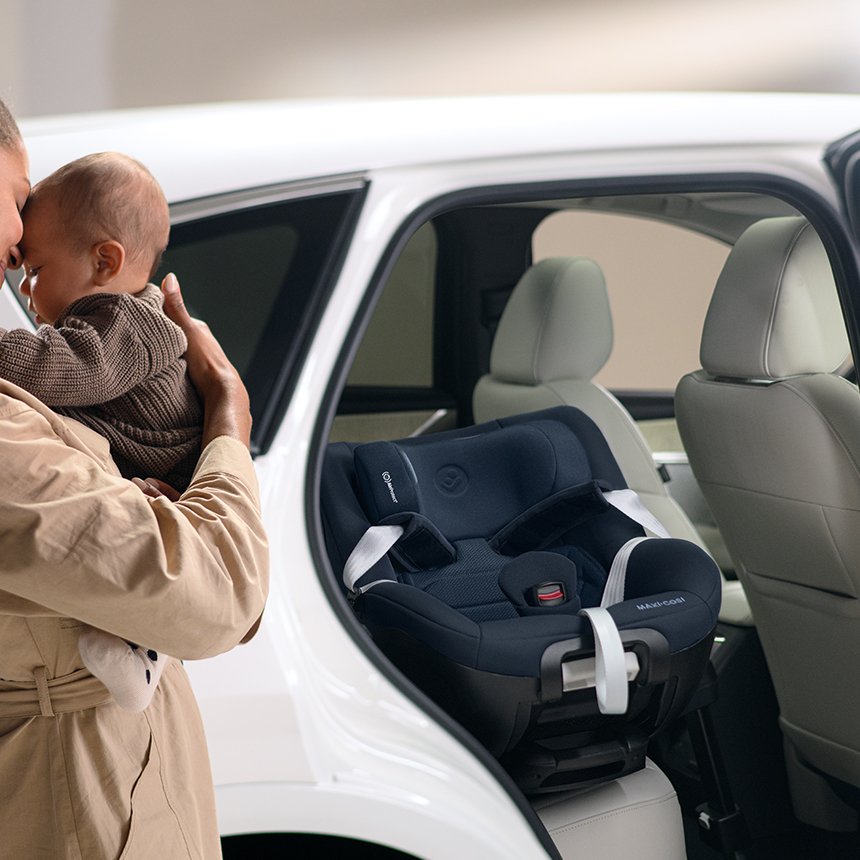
(258, 277)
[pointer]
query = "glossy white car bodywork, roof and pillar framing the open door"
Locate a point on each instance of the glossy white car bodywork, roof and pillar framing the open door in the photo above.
(306, 732)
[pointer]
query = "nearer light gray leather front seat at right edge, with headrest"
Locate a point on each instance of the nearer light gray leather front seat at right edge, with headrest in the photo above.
(773, 436)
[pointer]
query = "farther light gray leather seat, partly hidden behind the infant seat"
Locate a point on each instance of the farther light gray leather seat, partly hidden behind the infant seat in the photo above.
(554, 335)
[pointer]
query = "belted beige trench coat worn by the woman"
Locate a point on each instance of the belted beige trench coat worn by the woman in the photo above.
(81, 779)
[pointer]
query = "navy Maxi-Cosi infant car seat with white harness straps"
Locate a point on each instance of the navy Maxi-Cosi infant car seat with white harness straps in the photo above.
(505, 569)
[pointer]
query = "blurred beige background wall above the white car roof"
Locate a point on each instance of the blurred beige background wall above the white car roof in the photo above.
(73, 55)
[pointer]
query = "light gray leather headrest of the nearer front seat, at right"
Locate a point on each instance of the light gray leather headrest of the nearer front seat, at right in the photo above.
(775, 310)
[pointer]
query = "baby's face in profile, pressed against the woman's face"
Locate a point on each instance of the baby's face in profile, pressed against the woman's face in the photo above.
(56, 273)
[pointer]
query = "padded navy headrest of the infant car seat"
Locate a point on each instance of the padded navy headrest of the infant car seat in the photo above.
(473, 485)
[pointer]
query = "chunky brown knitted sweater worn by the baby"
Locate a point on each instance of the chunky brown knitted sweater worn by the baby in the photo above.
(114, 362)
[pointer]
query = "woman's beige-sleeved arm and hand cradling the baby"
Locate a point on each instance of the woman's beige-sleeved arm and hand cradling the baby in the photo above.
(188, 578)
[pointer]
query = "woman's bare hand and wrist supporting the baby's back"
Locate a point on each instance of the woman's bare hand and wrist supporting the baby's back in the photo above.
(226, 405)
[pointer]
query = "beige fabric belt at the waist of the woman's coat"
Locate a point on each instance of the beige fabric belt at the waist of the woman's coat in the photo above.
(46, 697)
